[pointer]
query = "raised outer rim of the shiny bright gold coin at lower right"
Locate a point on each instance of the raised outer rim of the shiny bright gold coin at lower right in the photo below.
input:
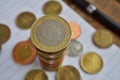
(82, 61)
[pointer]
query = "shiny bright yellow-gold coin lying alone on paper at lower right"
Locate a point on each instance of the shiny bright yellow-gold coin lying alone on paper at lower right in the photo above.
(91, 62)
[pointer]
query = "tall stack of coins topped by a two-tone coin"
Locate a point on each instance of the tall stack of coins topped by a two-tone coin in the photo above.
(51, 35)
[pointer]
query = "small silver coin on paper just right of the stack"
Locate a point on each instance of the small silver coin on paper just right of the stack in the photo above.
(74, 48)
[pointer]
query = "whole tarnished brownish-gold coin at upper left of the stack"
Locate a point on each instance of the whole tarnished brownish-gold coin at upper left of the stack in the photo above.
(25, 20)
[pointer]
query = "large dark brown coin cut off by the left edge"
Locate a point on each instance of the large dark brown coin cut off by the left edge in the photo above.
(4, 33)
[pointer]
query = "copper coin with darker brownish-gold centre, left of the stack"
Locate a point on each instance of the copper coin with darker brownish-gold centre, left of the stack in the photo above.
(24, 52)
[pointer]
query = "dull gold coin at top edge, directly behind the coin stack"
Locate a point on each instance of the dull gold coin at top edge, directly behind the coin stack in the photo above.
(52, 7)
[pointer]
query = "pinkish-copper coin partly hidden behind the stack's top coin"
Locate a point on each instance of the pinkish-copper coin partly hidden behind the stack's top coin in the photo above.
(76, 31)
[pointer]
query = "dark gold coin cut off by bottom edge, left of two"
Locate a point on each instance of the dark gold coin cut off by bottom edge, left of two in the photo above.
(36, 75)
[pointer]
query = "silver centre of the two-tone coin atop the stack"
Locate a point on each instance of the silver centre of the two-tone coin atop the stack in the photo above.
(51, 33)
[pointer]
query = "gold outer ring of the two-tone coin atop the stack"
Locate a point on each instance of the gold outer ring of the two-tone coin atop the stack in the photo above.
(55, 48)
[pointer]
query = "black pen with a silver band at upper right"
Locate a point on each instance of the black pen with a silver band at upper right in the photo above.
(90, 8)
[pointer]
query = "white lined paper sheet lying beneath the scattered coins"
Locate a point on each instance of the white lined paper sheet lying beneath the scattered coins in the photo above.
(9, 70)
